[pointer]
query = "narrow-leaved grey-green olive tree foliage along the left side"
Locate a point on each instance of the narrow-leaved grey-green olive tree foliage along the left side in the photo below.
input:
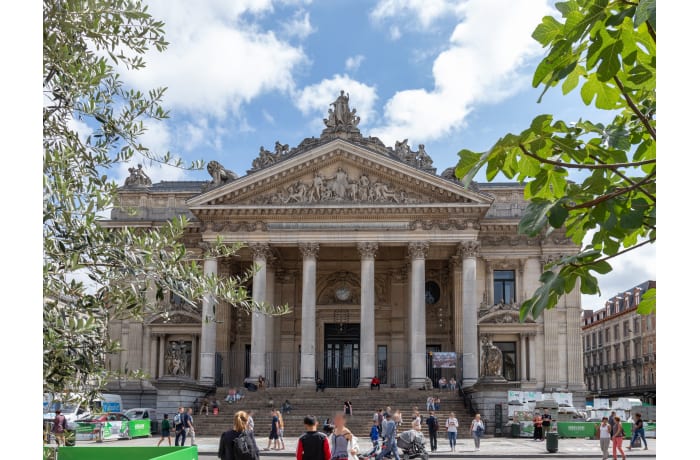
(84, 42)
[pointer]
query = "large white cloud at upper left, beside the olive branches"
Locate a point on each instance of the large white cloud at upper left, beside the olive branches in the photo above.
(216, 61)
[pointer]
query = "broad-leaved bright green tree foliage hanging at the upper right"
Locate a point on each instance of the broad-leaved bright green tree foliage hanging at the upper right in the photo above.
(605, 49)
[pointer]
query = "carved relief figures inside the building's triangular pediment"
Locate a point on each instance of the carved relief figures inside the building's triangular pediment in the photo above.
(338, 188)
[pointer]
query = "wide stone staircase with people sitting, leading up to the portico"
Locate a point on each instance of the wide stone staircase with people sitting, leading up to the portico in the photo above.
(325, 404)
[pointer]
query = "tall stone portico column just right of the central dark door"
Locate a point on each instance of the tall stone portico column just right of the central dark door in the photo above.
(367, 347)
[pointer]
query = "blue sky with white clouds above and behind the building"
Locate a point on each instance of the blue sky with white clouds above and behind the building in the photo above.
(450, 74)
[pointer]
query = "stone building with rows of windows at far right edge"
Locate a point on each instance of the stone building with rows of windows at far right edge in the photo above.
(620, 347)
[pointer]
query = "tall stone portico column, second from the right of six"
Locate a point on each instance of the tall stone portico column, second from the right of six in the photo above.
(417, 252)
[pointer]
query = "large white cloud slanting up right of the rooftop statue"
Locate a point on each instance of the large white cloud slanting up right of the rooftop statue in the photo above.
(487, 49)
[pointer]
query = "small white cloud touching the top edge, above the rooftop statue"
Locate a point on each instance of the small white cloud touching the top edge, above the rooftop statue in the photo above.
(424, 12)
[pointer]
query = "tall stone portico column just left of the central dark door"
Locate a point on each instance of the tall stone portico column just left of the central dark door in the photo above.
(309, 252)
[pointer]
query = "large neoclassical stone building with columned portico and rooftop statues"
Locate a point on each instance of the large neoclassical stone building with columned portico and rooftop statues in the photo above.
(383, 263)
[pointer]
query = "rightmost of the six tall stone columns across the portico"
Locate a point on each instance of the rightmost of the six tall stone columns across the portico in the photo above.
(468, 251)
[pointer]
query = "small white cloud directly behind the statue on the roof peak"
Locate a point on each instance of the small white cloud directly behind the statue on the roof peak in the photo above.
(316, 98)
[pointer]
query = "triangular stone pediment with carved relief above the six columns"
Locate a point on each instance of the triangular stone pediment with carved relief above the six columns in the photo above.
(339, 173)
